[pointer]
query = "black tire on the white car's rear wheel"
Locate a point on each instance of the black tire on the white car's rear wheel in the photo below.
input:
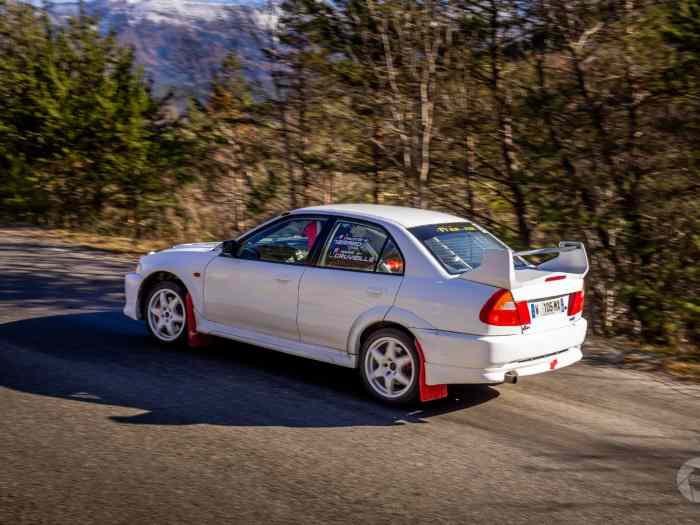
(380, 386)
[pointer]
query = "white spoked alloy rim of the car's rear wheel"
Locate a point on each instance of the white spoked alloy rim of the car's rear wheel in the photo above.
(390, 368)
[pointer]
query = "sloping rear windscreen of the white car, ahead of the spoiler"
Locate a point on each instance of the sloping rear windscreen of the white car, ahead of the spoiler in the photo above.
(459, 246)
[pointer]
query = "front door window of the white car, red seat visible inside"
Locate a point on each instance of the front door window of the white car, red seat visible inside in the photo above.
(287, 242)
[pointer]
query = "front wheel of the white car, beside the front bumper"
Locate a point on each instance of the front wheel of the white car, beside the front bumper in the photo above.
(166, 316)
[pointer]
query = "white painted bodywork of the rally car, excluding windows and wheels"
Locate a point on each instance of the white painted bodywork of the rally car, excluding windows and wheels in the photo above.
(321, 313)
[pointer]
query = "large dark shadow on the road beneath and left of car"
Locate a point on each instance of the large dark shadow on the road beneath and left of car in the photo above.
(107, 359)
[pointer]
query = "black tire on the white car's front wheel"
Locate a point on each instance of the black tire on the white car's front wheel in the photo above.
(178, 310)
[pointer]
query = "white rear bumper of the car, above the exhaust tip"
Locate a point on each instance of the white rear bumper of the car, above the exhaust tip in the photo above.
(453, 358)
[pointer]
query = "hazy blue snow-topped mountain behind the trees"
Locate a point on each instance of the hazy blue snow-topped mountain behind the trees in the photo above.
(181, 43)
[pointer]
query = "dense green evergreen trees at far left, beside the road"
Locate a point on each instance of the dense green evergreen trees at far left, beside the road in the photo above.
(81, 137)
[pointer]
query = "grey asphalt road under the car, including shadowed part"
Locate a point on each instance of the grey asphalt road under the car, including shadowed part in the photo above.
(100, 425)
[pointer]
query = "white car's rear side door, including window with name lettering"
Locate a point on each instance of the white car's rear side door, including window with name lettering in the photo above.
(359, 269)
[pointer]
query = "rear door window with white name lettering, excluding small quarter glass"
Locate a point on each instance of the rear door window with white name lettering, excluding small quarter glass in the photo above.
(353, 246)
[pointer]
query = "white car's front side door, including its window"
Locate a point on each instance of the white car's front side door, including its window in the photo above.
(258, 288)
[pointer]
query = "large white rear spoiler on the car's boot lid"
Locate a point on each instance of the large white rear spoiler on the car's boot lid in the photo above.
(498, 266)
